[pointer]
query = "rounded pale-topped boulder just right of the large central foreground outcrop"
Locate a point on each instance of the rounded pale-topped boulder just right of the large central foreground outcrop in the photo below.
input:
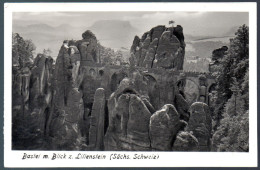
(163, 128)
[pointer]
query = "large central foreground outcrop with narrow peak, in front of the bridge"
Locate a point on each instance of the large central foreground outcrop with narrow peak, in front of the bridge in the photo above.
(128, 120)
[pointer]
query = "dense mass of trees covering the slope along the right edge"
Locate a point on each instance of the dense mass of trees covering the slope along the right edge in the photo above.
(231, 111)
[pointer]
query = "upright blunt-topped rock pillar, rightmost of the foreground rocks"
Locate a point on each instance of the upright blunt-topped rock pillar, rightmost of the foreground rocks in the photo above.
(200, 124)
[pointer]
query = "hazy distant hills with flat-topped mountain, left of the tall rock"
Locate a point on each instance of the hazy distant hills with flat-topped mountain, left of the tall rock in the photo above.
(111, 33)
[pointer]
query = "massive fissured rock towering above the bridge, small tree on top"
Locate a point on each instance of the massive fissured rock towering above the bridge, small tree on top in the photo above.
(161, 47)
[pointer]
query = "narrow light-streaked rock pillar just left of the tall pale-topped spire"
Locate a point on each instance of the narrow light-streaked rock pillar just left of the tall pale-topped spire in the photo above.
(41, 90)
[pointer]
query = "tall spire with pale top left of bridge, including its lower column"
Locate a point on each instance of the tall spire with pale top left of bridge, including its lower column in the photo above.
(67, 104)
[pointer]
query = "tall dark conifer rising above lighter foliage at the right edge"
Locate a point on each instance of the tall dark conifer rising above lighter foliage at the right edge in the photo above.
(233, 65)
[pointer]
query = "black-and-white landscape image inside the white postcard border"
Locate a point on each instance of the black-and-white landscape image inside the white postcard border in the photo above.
(130, 81)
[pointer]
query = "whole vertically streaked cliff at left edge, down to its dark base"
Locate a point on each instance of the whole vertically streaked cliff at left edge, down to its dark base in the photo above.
(32, 95)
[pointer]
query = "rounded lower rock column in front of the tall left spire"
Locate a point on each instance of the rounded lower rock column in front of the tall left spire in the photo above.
(64, 127)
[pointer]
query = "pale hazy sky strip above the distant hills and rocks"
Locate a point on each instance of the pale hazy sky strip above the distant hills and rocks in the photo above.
(194, 23)
